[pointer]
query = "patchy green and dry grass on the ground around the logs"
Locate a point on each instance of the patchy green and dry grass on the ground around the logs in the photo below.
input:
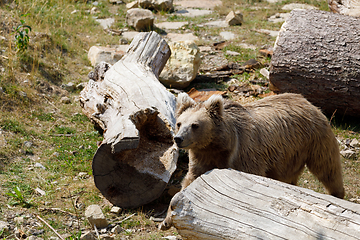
(64, 141)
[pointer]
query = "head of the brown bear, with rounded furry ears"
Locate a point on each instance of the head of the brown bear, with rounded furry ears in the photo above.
(196, 122)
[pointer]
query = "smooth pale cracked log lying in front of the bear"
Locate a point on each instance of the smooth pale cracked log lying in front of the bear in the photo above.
(228, 204)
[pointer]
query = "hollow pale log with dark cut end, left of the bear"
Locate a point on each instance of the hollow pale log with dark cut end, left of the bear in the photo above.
(137, 156)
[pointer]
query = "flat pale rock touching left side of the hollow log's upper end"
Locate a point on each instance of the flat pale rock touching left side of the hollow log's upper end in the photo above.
(99, 54)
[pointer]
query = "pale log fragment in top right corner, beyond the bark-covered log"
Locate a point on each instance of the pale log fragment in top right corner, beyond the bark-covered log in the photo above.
(346, 7)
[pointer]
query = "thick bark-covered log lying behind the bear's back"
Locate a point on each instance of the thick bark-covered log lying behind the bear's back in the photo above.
(317, 54)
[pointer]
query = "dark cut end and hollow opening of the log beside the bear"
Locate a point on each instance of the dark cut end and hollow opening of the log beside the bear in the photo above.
(124, 178)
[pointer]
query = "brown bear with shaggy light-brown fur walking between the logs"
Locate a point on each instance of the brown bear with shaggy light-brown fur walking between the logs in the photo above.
(273, 137)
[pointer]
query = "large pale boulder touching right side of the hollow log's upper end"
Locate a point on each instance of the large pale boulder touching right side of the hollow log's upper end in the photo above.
(182, 66)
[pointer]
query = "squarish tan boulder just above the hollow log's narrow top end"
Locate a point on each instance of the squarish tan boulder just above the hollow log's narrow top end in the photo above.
(140, 19)
